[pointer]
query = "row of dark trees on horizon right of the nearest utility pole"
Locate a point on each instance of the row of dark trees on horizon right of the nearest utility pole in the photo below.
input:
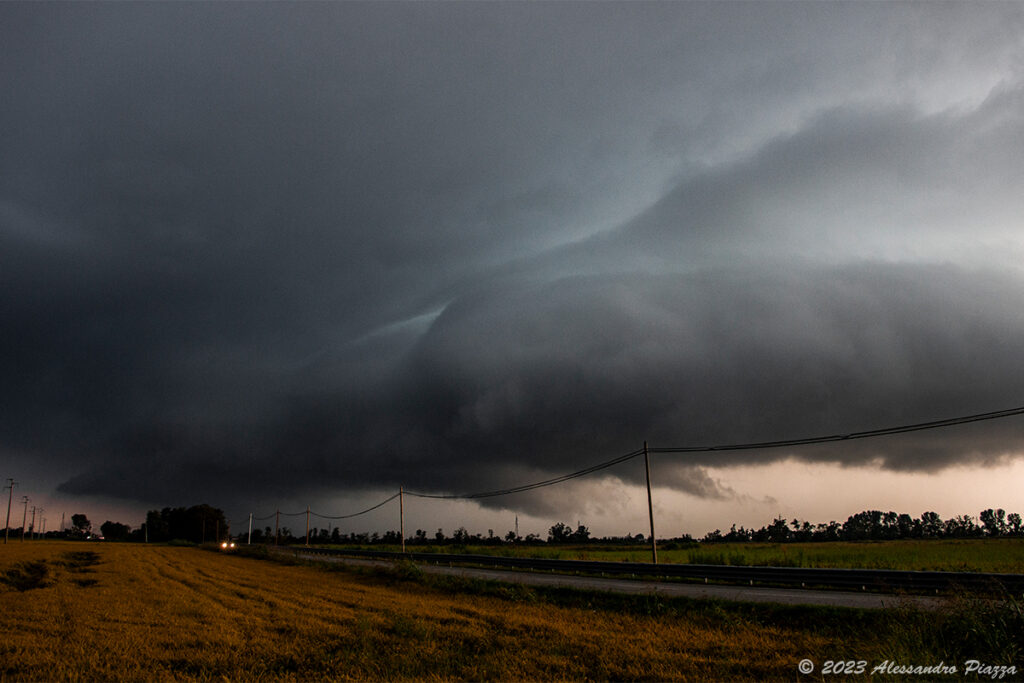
(878, 526)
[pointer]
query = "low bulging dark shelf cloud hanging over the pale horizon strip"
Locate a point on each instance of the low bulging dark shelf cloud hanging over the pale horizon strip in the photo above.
(540, 379)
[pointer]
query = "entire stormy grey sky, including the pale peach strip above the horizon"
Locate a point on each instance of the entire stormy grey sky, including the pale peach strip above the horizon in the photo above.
(276, 255)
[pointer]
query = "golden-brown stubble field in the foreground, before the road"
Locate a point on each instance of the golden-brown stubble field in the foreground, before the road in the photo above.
(109, 612)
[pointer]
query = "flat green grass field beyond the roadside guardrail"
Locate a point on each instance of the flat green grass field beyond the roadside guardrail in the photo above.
(990, 556)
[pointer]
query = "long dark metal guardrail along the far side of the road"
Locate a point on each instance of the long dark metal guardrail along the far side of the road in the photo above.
(876, 580)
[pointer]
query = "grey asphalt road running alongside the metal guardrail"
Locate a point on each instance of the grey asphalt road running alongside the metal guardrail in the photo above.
(789, 596)
